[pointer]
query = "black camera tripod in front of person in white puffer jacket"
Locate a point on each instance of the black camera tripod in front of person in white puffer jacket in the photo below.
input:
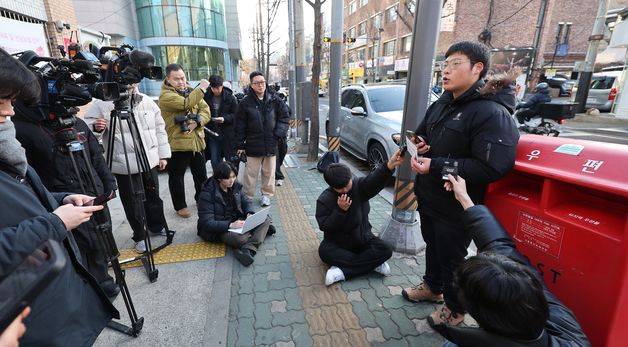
(123, 111)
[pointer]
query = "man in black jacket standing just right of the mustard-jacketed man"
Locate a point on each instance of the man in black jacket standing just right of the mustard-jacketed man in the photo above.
(223, 106)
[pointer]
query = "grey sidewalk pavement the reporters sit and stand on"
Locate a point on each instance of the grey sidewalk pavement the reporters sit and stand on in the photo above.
(281, 300)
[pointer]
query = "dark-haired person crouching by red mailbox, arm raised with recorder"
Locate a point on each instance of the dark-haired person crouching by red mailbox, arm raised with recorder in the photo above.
(502, 291)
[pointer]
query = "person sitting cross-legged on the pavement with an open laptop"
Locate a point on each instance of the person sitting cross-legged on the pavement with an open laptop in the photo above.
(222, 205)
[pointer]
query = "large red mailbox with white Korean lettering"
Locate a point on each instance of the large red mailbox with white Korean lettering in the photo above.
(566, 205)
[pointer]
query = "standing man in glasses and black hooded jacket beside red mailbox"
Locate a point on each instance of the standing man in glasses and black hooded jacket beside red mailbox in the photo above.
(469, 132)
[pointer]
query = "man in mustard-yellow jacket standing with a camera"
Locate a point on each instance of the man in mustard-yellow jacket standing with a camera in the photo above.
(185, 113)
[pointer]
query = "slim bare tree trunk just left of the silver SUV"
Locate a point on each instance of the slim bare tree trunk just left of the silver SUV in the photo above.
(312, 154)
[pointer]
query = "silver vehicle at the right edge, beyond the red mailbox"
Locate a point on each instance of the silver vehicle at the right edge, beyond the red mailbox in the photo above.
(602, 91)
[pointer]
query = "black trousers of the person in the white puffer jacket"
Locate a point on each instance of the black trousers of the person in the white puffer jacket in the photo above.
(153, 205)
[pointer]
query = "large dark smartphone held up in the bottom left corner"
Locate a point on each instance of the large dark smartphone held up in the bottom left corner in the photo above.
(22, 286)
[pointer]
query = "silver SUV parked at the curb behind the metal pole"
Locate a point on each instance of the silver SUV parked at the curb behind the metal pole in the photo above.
(370, 116)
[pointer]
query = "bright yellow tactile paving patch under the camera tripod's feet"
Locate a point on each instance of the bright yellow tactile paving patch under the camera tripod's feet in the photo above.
(180, 252)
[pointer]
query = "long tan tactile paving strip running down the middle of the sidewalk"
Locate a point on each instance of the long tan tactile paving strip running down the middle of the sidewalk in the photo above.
(331, 320)
